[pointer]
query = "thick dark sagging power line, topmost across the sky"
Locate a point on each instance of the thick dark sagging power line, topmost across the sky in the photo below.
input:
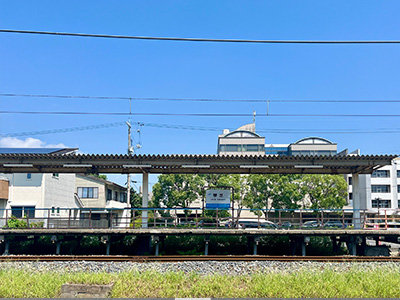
(202, 39)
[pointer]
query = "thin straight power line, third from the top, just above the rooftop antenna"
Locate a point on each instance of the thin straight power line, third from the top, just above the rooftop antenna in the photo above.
(195, 114)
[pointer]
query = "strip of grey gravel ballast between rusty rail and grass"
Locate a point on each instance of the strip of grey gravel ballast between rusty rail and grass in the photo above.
(198, 267)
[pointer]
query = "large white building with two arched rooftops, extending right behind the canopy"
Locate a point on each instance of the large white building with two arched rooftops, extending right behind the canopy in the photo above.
(381, 189)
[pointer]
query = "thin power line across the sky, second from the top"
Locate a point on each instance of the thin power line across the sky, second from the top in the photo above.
(197, 99)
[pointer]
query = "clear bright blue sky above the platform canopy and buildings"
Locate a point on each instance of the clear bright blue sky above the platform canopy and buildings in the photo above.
(33, 64)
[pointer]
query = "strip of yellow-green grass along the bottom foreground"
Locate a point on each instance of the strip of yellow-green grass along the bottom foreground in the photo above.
(381, 283)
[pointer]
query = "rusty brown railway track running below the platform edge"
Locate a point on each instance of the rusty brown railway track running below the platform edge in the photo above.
(178, 258)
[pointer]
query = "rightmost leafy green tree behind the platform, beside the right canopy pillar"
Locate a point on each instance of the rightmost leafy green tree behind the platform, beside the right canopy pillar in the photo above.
(324, 191)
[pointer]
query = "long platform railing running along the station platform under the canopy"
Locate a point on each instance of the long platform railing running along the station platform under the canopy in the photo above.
(197, 218)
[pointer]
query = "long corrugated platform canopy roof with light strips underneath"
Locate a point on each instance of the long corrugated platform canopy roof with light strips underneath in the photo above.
(191, 164)
